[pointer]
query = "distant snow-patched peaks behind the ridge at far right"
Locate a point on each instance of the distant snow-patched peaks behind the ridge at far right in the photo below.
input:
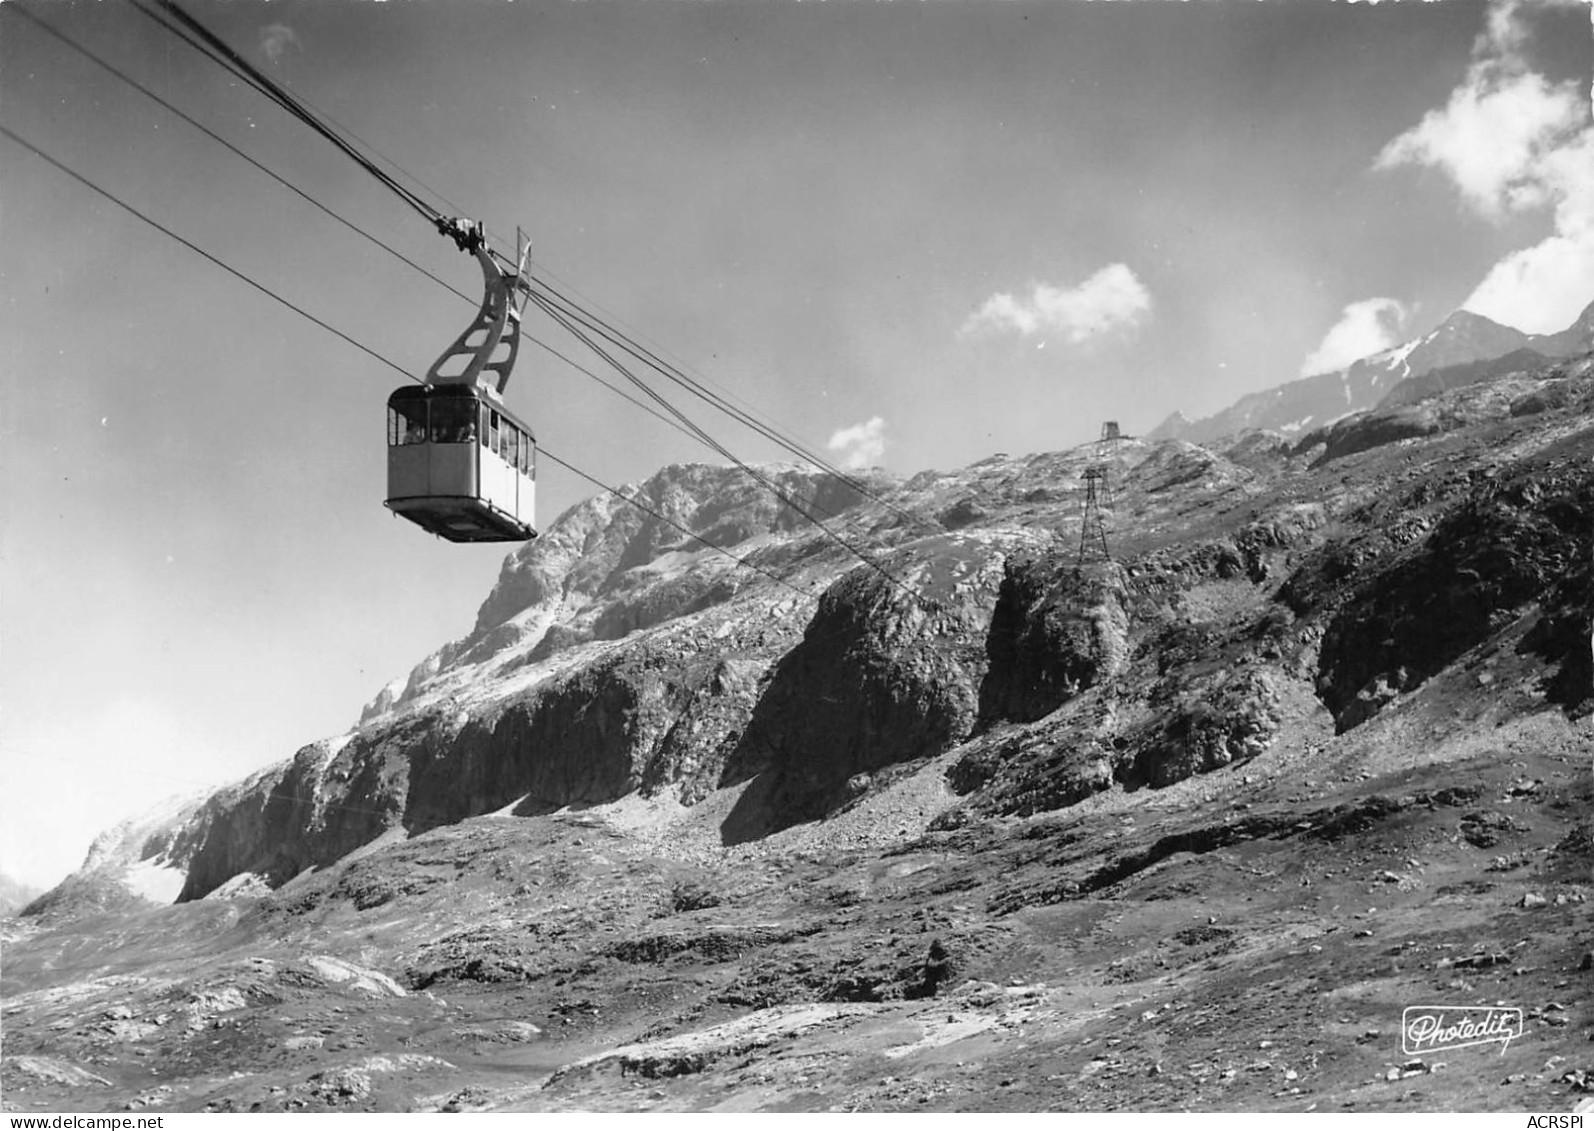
(1298, 407)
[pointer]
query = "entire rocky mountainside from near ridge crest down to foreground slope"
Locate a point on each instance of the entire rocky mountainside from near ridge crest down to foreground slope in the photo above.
(973, 826)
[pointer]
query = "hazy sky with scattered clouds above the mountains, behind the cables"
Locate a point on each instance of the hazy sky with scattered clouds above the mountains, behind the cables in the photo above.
(909, 233)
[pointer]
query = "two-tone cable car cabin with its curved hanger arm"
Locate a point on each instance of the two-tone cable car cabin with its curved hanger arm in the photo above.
(460, 464)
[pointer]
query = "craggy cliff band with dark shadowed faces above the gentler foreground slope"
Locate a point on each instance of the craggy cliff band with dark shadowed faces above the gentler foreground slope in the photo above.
(1260, 593)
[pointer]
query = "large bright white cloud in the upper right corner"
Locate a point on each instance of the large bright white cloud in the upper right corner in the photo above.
(1515, 143)
